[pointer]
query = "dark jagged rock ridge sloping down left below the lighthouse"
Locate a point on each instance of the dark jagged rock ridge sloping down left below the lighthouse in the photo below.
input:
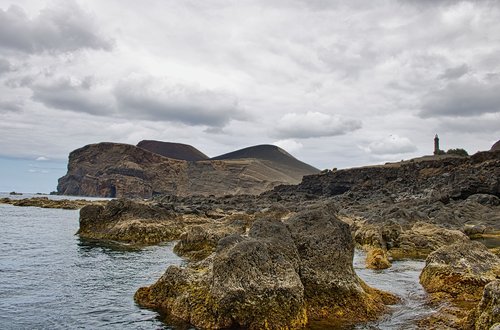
(435, 177)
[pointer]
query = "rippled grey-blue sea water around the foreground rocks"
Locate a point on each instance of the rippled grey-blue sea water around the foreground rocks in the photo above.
(52, 279)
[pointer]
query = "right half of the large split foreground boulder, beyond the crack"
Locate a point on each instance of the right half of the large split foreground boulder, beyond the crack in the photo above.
(331, 287)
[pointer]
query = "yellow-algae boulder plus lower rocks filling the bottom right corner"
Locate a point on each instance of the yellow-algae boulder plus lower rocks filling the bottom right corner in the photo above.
(459, 274)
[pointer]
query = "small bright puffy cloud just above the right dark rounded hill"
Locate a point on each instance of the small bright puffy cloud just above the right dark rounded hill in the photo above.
(314, 124)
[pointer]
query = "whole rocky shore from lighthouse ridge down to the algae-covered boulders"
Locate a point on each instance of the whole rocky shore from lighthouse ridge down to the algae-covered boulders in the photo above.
(283, 258)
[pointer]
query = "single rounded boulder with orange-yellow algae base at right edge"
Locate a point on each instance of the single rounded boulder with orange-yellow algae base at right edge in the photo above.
(460, 271)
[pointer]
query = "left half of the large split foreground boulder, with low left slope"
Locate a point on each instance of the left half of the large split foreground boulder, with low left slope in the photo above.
(251, 282)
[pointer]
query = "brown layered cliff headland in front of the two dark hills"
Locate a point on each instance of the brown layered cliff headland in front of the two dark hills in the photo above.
(122, 170)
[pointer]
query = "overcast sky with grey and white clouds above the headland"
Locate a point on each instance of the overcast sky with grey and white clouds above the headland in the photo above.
(336, 83)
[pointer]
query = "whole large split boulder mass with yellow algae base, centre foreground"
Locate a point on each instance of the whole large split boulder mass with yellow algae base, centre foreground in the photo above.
(277, 277)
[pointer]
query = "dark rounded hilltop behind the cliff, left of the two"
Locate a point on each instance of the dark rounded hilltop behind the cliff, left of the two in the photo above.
(173, 150)
